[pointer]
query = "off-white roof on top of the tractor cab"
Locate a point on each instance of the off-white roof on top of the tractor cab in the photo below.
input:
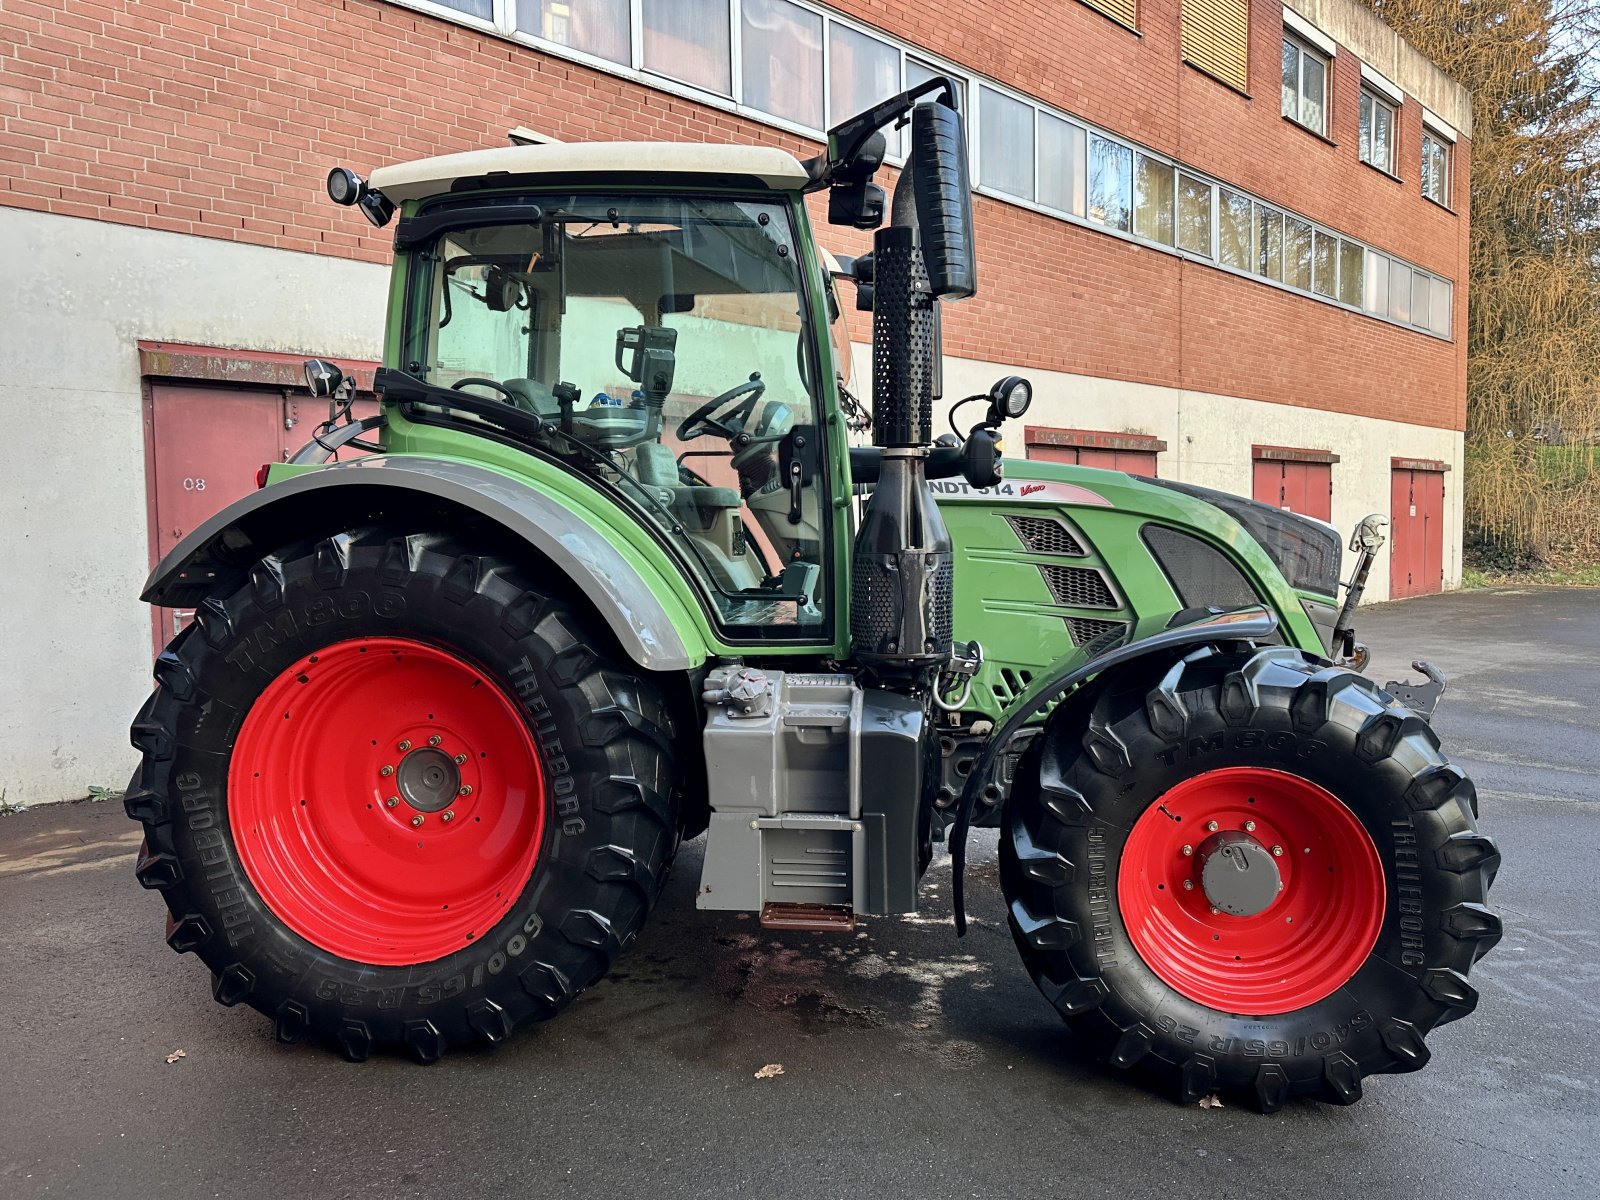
(766, 166)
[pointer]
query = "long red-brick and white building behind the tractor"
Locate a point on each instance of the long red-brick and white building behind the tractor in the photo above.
(1191, 273)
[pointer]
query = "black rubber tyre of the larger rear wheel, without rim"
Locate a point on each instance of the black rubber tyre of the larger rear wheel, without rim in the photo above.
(606, 740)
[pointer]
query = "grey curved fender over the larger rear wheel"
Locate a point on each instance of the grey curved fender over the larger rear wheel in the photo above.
(647, 628)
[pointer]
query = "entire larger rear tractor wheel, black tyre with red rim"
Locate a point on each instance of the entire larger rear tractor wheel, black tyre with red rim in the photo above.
(394, 796)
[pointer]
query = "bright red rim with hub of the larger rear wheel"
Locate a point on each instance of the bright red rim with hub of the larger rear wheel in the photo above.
(338, 793)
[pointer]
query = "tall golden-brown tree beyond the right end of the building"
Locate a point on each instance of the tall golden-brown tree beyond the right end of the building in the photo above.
(1534, 324)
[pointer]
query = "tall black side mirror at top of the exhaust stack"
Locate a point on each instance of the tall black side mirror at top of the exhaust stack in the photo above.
(945, 199)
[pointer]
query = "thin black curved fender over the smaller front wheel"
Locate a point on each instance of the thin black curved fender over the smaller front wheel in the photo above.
(1151, 639)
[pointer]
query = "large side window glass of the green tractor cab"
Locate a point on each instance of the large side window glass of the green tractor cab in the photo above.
(665, 342)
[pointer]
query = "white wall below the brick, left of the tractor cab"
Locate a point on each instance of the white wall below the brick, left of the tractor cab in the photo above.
(73, 506)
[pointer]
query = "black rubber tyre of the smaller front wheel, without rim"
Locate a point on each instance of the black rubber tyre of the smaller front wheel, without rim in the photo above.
(1106, 761)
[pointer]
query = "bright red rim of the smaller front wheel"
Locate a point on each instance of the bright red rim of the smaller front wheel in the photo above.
(1305, 945)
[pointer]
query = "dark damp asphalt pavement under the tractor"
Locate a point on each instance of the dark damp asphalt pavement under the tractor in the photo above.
(914, 1065)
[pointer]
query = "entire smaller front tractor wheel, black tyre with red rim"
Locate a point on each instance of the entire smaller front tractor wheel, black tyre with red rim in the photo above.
(1254, 873)
